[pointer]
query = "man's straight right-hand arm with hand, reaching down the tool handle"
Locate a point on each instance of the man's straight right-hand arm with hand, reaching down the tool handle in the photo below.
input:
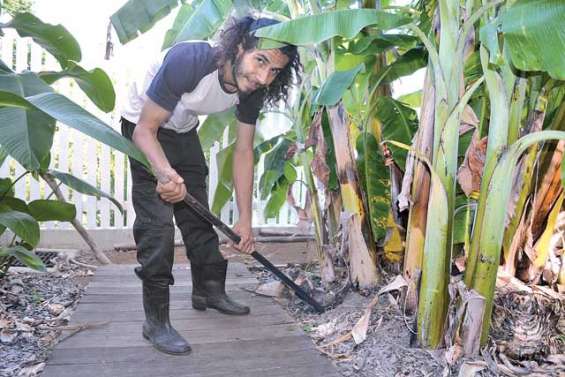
(243, 184)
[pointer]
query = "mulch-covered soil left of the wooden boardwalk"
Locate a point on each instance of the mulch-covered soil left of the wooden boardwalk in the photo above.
(34, 309)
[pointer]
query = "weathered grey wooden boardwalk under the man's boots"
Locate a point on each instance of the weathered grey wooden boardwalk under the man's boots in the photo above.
(266, 343)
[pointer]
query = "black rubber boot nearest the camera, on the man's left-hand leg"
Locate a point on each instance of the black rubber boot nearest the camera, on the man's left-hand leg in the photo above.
(157, 326)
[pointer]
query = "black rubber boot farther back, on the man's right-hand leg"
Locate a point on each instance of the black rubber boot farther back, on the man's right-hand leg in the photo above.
(209, 290)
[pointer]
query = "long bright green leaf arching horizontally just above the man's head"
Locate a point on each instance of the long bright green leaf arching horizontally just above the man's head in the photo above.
(315, 29)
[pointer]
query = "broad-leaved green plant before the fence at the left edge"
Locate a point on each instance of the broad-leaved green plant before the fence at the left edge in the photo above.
(29, 110)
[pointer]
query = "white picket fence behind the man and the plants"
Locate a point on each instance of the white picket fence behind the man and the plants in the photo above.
(96, 163)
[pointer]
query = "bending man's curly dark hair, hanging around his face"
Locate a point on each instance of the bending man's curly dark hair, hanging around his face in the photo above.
(241, 31)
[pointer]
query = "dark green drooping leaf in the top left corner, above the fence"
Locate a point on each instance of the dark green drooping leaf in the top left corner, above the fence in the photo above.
(53, 38)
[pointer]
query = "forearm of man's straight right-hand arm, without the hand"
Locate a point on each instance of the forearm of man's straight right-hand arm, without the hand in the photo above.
(243, 183)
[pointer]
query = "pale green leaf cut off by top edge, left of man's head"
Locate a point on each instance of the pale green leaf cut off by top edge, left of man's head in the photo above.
(138, 16)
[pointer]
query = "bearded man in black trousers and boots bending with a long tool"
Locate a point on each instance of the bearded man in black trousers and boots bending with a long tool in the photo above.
(191, 79)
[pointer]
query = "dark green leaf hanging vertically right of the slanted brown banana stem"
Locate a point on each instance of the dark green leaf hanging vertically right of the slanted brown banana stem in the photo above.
(375, 180)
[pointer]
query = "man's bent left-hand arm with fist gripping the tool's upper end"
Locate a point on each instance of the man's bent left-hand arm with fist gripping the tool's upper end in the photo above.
(145, 138)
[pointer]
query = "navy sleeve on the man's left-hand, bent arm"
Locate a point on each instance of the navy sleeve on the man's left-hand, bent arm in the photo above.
(183, 67)
